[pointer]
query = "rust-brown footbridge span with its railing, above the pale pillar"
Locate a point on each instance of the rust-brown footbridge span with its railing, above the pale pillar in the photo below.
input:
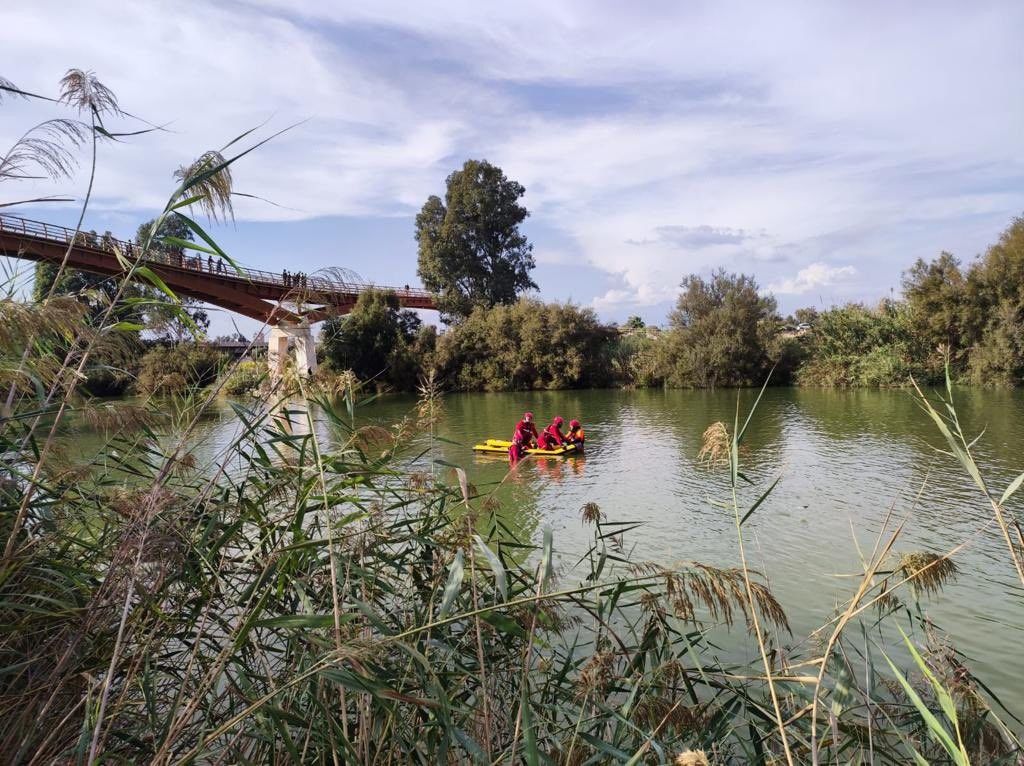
(251, 292)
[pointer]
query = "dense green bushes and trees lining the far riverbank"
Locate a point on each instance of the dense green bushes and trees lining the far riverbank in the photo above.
(727, 332)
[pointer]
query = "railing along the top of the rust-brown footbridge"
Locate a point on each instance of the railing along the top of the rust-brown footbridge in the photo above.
(201, 263)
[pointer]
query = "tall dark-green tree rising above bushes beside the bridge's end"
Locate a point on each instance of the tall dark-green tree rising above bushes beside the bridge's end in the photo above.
(472, 252)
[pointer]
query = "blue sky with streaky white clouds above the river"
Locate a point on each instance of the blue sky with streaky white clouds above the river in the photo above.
(821, 147)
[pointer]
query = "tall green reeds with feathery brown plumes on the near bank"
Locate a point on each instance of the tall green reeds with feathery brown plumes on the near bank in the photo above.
(321, 591)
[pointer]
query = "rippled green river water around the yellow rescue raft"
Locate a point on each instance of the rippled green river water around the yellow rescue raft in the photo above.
(846, 460)
